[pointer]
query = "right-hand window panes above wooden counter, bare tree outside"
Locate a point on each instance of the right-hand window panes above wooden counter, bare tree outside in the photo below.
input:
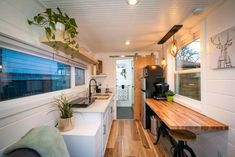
(188, 71)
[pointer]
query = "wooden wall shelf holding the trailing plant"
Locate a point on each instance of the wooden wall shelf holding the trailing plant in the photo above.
(78, 53)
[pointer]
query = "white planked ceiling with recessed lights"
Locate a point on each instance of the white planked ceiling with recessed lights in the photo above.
(105, 25)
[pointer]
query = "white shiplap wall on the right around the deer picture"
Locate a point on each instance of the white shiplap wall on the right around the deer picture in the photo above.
(217, 87)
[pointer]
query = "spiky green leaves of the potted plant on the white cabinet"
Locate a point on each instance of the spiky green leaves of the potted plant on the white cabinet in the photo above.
(65, 107)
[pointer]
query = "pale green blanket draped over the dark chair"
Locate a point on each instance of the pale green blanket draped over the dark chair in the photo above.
(46, 141)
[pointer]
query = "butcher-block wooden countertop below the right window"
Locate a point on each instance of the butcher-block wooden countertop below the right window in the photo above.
(179, 117)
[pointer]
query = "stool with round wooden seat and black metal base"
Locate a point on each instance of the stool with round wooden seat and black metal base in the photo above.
(183, 136)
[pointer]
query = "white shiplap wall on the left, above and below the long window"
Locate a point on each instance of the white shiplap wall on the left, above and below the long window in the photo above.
(18, 116)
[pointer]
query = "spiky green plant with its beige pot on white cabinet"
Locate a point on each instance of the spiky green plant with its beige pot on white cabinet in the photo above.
(66, 120)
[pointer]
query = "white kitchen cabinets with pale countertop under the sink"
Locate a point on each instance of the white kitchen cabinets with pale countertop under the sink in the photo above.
(92, 128)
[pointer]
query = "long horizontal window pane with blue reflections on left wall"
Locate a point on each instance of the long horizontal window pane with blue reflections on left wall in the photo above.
(24, 75)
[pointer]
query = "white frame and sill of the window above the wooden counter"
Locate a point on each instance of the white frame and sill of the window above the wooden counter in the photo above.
(189, 102)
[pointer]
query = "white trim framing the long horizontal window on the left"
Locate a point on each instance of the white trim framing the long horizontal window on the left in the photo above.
(18, 45)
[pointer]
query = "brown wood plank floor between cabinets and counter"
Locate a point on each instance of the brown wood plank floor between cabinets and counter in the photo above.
(128, 139)
